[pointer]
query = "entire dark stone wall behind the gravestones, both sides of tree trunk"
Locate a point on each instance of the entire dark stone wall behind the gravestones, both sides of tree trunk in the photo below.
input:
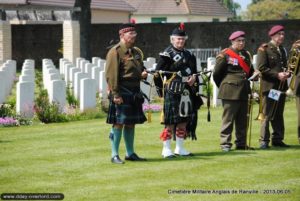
(43, 41)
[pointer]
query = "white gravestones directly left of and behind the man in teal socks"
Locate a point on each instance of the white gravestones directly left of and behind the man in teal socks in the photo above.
(74, 75)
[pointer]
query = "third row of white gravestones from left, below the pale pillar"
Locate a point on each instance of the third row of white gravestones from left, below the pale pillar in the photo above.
(54, 85)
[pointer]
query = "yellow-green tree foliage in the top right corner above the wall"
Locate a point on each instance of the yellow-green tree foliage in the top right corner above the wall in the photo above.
(273, 10)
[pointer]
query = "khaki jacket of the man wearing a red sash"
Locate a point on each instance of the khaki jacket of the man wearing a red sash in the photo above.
(230, 77)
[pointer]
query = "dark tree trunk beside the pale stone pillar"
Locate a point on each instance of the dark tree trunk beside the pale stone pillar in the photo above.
(84, 18)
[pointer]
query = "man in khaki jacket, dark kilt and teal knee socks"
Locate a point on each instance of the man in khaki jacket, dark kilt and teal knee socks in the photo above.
(124, 71)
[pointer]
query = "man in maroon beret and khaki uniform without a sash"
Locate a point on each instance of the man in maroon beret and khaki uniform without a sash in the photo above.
(272, 63)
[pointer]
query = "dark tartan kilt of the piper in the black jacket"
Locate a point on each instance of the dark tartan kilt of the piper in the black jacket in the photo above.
(171, 109)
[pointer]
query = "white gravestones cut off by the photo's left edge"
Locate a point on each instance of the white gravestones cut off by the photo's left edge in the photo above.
(7, 77)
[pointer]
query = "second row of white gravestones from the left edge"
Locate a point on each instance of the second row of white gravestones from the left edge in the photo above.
(25, 90)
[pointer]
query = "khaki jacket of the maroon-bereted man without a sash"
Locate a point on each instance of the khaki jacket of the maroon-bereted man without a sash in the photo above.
(271, 61)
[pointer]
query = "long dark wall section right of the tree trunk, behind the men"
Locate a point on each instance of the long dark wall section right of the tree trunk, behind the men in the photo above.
(153, 38)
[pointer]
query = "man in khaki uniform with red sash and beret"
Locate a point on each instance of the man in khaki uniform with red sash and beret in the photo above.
(232, 70)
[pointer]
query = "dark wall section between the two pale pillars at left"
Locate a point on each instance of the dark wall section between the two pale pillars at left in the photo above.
(36, 42)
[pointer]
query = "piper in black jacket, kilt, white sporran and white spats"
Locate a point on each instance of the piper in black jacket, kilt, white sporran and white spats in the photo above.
(179, 91)
